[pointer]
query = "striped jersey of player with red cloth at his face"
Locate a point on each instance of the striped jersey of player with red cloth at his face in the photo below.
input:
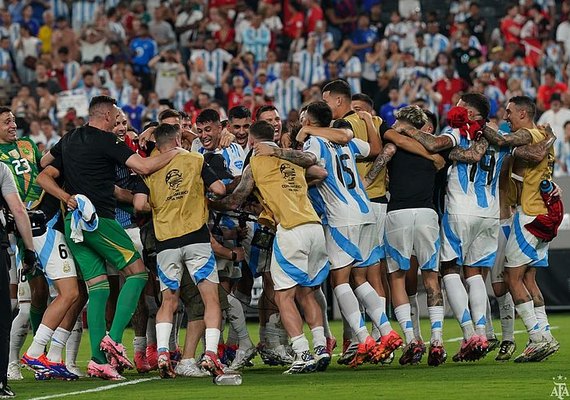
(472, 189)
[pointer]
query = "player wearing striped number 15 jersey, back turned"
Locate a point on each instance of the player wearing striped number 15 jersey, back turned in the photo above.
(348, 220)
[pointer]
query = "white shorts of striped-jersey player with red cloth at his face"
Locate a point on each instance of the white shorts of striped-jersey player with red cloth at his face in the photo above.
(469, 239)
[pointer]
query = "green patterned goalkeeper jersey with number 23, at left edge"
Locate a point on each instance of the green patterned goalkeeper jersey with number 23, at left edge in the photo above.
(23, 157)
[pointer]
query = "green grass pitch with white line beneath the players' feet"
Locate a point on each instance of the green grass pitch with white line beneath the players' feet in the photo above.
(486, 379)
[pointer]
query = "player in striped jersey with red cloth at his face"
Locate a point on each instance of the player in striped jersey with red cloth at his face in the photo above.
(470, 225)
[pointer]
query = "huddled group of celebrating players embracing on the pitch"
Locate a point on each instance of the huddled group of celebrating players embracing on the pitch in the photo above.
(212, 206)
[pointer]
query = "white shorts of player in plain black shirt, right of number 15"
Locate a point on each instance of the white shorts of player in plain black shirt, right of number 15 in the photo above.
(412, 231)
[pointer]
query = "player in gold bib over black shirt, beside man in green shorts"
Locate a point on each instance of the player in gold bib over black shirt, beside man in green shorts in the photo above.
(176, 193)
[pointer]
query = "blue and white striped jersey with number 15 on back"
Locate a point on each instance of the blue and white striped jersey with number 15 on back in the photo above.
(340, 199)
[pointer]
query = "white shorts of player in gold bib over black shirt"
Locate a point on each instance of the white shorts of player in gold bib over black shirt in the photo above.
(197, 258)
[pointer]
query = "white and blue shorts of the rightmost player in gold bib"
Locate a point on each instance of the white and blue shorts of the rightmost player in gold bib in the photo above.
(523, 248)
